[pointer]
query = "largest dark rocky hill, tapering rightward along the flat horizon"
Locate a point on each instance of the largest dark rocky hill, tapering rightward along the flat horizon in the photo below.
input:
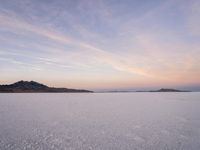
(35, 87)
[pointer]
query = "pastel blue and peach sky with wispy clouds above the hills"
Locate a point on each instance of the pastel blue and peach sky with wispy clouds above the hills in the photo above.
(101, 44)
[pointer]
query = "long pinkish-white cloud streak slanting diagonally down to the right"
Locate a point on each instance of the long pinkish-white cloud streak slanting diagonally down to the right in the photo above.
(100, 55)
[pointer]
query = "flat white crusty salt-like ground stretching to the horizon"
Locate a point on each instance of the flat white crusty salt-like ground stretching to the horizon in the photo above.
(100, 121)
